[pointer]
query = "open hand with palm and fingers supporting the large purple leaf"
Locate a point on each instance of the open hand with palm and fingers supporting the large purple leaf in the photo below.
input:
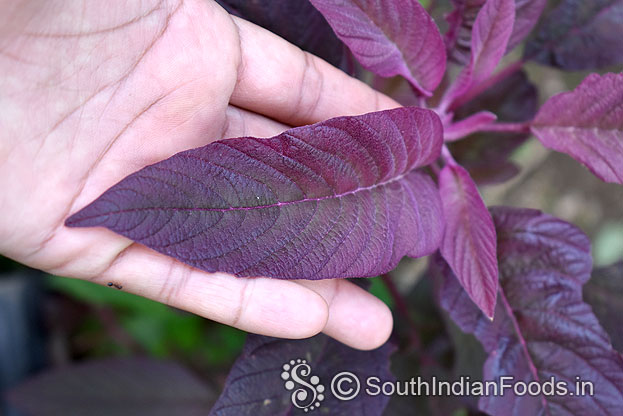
(91, 92)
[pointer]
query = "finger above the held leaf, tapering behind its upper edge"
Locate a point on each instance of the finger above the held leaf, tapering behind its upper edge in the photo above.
(279, 80)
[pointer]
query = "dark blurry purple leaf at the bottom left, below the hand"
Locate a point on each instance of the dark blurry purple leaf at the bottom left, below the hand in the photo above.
(117, 386)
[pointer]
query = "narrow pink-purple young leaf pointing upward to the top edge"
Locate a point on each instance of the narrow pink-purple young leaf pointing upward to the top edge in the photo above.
(490, 35)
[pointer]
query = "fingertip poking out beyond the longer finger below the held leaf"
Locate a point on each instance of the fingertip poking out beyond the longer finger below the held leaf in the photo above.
(356, 317)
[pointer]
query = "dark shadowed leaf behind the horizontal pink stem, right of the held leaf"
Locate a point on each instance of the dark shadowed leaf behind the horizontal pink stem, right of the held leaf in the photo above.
(485, 155)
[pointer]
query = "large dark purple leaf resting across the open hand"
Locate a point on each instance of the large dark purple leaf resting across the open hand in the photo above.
(340, 198)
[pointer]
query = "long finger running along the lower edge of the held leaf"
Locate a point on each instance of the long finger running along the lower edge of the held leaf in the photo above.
(260, 305)
